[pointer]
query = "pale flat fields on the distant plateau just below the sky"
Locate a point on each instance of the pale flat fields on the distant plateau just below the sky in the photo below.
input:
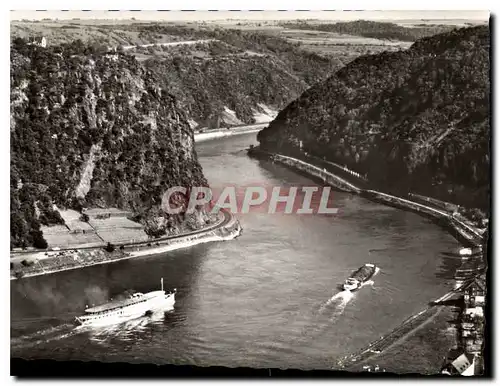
(345, 47)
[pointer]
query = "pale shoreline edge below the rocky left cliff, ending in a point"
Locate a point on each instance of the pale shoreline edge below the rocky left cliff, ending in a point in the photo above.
(228, 229)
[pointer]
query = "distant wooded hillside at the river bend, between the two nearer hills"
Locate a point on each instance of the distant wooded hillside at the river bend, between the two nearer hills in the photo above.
(237, 70)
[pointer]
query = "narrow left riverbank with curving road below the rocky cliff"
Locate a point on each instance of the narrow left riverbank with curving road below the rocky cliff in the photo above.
(44, 263)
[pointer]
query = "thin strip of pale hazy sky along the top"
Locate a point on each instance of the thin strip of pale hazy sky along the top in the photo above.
(254, 15)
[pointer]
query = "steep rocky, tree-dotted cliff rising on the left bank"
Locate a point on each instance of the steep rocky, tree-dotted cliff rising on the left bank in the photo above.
(93, 130)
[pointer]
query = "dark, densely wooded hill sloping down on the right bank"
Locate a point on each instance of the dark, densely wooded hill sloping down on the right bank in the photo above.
(415, 120)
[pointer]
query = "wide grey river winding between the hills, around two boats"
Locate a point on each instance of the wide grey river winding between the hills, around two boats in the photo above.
(268, 299)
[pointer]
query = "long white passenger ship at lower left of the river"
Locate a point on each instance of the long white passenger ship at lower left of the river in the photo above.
(137, 305)
